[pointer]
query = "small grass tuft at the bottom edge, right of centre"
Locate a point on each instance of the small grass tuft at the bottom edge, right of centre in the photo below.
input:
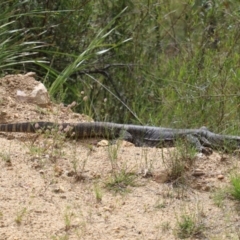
(189, 226)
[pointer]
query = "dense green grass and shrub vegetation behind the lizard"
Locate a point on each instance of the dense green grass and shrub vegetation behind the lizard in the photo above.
(167, 63)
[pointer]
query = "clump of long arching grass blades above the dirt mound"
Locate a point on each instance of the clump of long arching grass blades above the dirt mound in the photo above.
(17, 48)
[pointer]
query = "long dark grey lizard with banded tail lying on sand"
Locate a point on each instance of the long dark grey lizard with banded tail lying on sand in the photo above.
(201, 138)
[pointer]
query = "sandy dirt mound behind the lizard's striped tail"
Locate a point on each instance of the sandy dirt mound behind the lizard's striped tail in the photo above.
(15, 110)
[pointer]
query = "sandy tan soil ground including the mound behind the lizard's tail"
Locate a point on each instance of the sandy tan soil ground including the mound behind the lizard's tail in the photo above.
(55, 188)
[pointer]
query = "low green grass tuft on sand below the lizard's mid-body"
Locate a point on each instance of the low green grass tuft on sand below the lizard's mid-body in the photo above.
(120, 181)
